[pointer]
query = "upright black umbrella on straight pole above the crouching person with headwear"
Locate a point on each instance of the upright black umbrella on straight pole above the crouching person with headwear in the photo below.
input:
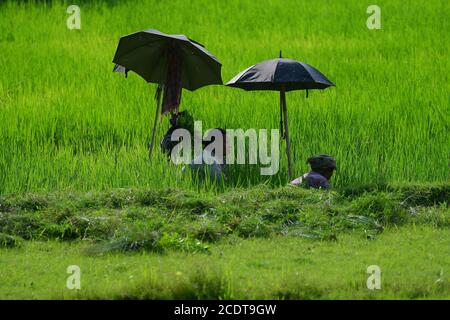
(281, 75)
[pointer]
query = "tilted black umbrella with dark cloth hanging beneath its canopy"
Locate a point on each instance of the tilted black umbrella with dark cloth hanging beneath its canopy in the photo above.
(173, 61)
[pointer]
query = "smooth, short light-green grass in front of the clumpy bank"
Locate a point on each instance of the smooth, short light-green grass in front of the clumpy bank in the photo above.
(414, 264)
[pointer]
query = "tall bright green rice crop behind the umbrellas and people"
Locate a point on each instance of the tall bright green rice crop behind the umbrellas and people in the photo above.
(68, 122)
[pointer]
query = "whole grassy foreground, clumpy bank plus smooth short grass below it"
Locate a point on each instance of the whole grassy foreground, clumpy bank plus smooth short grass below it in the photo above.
(258, 243)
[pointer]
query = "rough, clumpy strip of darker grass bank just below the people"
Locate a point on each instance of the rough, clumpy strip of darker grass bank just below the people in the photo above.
(127, 219)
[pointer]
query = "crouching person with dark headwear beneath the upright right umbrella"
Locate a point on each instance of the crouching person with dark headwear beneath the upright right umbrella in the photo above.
(322, 167)
